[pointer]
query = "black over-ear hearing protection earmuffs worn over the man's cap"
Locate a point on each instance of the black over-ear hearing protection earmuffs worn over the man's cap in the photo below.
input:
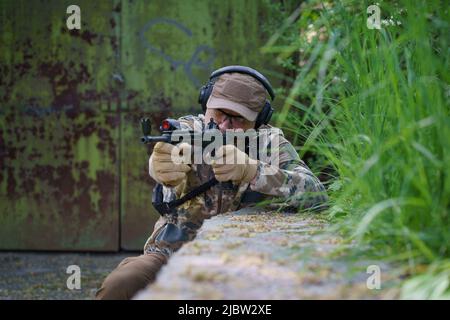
(264, 115)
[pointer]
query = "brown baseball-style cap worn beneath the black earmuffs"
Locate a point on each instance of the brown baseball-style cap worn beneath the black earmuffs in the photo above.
(238, 92)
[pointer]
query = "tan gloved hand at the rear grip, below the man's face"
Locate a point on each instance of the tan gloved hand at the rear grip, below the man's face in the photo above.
(230, 163)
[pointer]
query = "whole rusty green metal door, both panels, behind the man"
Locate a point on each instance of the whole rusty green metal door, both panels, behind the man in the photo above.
(73, 175)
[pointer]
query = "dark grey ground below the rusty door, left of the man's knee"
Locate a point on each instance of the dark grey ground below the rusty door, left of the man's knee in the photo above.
(43, 275)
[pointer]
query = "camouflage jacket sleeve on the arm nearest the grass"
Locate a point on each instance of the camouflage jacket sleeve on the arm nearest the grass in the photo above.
(290, 179)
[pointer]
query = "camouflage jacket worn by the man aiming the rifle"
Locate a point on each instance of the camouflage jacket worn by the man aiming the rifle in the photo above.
(291, 181)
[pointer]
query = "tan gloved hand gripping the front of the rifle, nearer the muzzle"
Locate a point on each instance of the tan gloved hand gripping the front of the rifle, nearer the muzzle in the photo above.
(167, 164)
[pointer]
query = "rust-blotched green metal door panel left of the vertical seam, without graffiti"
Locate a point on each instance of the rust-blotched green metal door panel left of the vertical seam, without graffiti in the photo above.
(58, 127)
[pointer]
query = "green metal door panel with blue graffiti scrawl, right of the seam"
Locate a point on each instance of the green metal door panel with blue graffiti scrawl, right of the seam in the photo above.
(168, 49)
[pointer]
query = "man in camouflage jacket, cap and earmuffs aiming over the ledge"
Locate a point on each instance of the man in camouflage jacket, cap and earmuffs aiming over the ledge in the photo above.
(235, 98)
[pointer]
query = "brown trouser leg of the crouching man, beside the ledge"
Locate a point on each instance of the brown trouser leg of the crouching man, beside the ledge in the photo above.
(130, 276)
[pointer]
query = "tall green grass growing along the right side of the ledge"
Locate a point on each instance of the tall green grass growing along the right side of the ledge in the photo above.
(372, 106)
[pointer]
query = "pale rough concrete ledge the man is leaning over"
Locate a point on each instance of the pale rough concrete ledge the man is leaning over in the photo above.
(265, 256)
